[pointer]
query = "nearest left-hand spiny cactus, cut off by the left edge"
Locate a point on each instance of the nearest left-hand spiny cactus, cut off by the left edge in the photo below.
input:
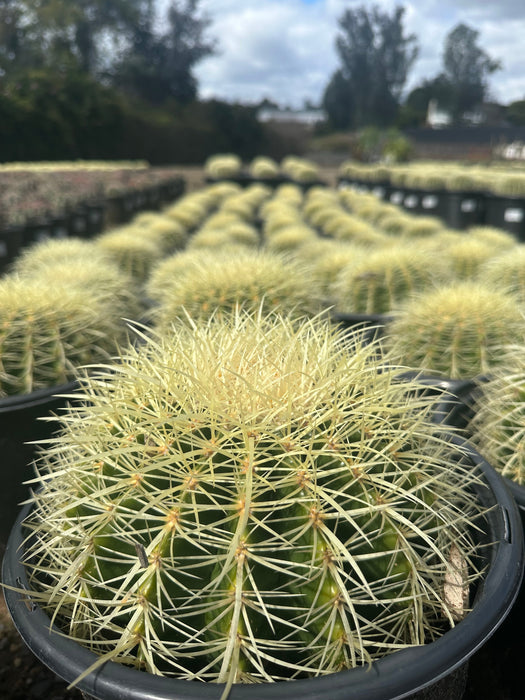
(48, 330)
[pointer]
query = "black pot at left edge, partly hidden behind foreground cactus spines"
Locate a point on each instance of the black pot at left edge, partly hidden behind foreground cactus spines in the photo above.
(20, 424)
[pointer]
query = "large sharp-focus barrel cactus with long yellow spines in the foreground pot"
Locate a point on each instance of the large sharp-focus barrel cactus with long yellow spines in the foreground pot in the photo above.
(250, 500)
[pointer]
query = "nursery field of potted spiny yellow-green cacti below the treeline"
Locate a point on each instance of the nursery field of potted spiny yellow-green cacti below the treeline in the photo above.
(389, 295)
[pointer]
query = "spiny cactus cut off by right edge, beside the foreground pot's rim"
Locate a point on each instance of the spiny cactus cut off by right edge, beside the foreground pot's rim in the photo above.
(498, 425)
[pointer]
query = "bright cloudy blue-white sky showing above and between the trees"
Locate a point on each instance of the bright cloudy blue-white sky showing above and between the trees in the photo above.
(284, 50)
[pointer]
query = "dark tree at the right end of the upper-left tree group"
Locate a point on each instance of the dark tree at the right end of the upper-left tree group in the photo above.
(158, 67)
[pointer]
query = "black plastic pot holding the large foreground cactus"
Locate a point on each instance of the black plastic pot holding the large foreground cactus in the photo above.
(435, 670)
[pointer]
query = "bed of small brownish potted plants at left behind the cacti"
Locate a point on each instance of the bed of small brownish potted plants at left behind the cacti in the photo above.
(39, 201)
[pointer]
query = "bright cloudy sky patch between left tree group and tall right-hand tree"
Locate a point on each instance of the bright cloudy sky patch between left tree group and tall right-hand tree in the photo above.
(275, 49)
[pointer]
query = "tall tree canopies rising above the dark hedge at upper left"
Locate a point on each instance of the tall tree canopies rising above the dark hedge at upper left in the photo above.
(116, 41)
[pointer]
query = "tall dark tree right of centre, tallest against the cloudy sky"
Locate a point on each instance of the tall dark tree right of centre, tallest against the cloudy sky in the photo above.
(376, 57)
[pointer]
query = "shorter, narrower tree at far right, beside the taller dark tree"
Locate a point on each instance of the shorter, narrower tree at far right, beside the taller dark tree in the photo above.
(466, 69)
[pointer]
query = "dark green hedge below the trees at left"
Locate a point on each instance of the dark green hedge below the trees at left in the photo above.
(47, 116)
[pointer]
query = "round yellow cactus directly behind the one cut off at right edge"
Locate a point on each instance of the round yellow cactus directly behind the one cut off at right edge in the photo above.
(457, 330)
